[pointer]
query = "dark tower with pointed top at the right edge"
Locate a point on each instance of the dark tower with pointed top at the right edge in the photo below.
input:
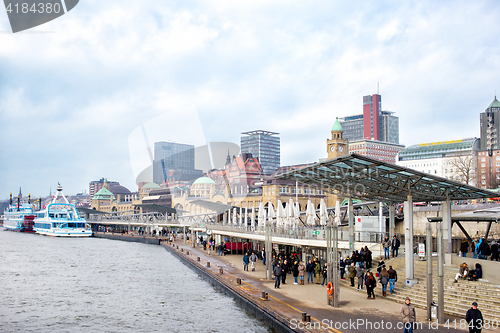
(490, 126)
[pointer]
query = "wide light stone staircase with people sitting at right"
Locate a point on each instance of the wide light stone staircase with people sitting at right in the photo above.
(458, 297)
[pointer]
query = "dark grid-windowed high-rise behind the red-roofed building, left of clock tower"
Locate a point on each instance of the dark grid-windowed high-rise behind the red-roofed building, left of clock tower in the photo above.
(265, 146)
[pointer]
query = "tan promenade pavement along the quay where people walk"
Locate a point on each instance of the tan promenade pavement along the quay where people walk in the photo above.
(356, 313)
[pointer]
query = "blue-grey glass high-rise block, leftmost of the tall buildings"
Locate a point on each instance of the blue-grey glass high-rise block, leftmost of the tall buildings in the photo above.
(174, 160)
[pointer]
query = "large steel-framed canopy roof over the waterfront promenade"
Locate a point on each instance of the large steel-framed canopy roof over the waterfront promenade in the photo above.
(365, 178)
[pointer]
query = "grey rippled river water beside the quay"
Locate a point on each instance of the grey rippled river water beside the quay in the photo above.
(98, 285)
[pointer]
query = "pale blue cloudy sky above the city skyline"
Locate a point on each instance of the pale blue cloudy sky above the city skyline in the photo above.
(79, 93)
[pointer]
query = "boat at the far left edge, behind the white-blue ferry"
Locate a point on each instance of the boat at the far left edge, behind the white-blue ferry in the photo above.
(19, 217)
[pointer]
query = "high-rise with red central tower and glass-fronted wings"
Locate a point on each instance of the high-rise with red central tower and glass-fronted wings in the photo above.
(373, 123)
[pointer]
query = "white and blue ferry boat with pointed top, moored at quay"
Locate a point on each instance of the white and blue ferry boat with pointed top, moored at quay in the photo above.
(60, 219)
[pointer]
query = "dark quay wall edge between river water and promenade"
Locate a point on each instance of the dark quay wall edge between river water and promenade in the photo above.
(266, 314)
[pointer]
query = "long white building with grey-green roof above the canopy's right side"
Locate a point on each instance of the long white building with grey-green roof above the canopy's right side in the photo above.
(454, 160)
